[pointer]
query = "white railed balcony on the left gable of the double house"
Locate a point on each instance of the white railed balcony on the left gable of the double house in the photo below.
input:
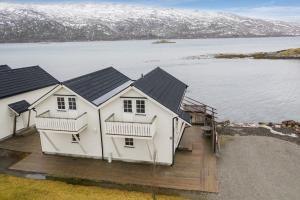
(69, 125)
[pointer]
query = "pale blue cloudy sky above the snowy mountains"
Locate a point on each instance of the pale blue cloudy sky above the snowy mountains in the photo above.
(288, 10)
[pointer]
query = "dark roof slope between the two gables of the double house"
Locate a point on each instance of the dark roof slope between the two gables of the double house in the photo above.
(94, 85)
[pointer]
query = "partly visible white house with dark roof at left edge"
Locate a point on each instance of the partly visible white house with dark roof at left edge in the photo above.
(18, 89)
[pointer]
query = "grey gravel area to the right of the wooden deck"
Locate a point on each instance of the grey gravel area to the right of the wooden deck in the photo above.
(258, 167)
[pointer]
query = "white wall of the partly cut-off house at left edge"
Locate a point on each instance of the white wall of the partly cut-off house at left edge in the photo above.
(7, 116)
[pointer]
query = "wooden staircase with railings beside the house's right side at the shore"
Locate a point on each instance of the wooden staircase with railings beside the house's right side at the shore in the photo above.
(204, 116)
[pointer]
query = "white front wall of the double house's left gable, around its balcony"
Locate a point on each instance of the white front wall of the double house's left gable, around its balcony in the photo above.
(89, 138)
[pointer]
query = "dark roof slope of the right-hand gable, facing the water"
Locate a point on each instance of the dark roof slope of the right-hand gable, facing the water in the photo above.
(163, 87)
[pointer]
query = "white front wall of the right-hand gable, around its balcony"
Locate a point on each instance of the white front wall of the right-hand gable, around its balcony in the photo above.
(162, 140)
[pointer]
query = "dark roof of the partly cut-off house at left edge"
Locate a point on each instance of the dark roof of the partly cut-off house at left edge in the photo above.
(20, 80)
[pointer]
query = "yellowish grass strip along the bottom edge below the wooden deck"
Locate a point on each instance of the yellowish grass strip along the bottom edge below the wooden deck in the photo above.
(15, 188)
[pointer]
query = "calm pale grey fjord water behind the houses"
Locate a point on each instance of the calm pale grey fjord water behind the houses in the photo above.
(243, 90)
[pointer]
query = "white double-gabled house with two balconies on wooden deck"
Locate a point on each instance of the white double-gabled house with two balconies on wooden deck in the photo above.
(106, 115)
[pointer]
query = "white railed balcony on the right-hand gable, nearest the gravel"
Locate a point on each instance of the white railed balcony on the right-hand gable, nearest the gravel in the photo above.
(120, 128)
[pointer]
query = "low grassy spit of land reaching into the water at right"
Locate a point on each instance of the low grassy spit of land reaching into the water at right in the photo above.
(283, 54)
